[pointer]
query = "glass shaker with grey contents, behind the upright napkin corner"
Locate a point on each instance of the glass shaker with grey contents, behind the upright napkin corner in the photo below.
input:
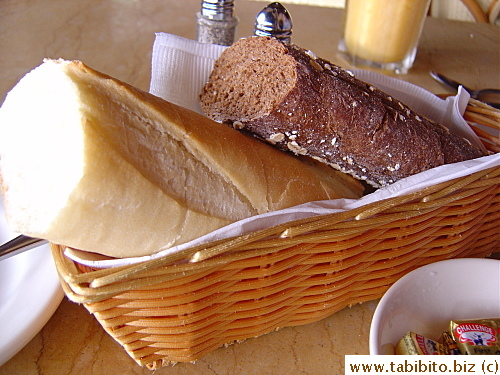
(216, 22)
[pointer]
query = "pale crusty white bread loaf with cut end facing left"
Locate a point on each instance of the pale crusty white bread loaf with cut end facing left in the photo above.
(92, 163)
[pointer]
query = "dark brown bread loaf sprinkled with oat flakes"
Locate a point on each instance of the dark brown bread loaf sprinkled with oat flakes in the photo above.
(304, 104)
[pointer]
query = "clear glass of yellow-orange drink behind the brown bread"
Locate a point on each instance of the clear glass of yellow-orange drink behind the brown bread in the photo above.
(383, 34)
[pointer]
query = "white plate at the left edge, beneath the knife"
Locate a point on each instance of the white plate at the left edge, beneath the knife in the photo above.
(29, 294)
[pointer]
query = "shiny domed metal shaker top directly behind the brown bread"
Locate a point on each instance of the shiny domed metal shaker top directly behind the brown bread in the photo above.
(275, 21)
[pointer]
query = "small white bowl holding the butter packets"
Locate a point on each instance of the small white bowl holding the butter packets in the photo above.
(426, 299)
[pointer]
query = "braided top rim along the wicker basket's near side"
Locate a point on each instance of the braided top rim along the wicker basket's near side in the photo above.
(286, 234)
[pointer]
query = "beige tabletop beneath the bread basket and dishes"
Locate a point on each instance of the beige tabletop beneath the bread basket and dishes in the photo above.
(116, 37)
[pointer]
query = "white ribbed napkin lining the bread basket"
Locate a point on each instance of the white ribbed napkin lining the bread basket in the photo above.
(180, 68)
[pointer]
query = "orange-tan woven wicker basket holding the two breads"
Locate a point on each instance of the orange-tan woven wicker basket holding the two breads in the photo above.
(183, 306)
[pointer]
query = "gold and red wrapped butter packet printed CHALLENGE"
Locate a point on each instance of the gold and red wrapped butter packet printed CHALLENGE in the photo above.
(479, 337)
